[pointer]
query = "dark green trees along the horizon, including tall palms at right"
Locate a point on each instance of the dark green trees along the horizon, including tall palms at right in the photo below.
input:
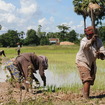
(37, 37)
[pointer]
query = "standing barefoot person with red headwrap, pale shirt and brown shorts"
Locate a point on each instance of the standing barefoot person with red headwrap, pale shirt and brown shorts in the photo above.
(91, 48)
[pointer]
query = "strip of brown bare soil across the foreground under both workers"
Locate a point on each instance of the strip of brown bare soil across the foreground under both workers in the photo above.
(7, 93)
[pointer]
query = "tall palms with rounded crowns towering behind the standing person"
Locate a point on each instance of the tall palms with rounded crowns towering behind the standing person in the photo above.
(81, 7)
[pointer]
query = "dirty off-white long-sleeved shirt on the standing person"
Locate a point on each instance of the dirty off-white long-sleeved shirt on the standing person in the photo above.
(86, 55)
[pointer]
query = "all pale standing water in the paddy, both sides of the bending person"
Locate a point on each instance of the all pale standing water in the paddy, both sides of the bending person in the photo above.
(52, 79)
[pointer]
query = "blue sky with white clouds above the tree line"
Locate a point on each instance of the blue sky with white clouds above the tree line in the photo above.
(22, 15)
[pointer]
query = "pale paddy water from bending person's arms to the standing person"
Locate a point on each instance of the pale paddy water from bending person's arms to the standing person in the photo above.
(59, 80)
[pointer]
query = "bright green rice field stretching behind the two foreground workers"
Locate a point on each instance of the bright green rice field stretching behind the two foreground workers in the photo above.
(61, 61)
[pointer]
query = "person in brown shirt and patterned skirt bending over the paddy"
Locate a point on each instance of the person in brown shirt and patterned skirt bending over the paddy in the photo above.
(24, 65)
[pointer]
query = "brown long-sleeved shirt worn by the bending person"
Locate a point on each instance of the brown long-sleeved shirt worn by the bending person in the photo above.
(25, 60)
